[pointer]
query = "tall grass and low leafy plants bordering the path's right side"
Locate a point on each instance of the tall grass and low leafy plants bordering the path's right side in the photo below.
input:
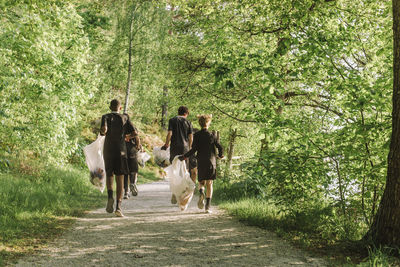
(316, 229)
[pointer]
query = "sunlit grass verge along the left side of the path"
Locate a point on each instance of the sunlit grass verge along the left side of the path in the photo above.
(37, 208)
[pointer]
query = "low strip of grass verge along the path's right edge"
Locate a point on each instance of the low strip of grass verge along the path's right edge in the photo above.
(339, 253)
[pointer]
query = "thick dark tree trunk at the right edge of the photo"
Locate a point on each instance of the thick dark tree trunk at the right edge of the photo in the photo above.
(385, 230)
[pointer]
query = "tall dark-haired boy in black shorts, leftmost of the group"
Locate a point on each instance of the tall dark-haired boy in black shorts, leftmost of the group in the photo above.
(115, 127)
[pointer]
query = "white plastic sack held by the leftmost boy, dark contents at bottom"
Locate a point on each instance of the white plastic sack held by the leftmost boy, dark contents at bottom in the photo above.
(94, 159)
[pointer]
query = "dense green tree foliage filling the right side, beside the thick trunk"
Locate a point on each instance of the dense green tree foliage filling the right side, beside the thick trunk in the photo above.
(313, 80)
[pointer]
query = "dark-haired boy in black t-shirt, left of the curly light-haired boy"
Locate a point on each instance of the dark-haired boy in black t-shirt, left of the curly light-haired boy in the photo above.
(179, 137)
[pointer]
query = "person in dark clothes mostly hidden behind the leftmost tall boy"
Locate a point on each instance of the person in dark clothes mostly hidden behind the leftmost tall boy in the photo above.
(133, 146)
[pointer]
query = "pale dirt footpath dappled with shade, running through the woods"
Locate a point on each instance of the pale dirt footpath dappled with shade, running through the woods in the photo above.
(156, 233)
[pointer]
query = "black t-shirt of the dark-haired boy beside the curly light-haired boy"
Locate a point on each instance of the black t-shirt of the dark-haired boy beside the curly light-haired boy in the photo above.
(181, 128)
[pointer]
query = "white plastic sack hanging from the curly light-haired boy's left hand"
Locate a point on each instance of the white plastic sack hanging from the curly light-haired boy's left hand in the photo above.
(180, 183)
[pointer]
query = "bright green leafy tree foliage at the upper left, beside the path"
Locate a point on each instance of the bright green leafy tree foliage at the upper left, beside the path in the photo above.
(46, 78)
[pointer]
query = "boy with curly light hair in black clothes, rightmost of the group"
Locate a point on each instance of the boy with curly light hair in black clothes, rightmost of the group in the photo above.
(204, 144)
